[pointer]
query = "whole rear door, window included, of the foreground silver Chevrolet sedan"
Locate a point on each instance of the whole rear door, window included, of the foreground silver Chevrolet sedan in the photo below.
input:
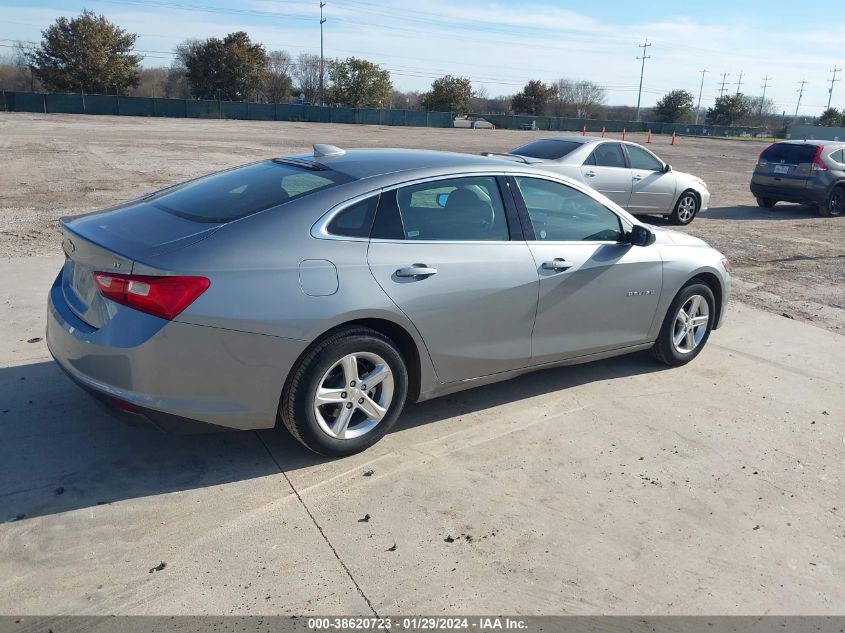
(442, 251)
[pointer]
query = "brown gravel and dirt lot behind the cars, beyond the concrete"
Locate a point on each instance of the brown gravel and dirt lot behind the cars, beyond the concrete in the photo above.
(786, 260)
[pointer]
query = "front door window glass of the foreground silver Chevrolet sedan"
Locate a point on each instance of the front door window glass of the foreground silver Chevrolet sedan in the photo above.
(559, 213)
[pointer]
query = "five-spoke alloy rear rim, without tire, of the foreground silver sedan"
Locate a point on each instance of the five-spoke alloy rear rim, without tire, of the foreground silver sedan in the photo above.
(354, 395)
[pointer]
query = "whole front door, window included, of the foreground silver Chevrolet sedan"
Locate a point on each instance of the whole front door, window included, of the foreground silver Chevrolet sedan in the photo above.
(596, 292)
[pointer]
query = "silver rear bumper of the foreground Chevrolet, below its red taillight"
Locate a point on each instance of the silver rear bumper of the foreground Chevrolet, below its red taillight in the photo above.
(172, 374)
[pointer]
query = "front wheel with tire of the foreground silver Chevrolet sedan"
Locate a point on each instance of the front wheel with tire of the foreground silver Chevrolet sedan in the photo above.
(680, 340)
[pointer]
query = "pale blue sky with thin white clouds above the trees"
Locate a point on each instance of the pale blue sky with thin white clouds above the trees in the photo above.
(500, 45)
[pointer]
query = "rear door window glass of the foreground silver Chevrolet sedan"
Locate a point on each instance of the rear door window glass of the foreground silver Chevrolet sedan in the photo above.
(457, 209)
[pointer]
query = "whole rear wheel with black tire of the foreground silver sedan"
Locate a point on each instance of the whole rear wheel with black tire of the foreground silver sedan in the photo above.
(338, 365)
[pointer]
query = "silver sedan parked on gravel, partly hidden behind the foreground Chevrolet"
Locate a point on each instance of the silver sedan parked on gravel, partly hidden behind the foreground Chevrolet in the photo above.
(627, 173)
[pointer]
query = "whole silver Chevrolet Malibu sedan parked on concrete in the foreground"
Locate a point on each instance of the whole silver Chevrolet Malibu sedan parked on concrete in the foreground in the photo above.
(326, 290)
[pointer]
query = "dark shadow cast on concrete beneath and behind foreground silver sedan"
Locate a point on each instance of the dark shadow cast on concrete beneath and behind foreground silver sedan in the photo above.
(59, 451)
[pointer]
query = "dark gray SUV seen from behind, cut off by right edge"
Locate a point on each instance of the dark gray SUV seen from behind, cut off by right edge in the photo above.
(807, 172)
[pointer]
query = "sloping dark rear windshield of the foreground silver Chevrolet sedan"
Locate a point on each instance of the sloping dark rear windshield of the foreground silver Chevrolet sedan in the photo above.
(242, 191)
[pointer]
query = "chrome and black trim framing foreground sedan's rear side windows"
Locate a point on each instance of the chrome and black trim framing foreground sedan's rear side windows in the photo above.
(319, 229)
